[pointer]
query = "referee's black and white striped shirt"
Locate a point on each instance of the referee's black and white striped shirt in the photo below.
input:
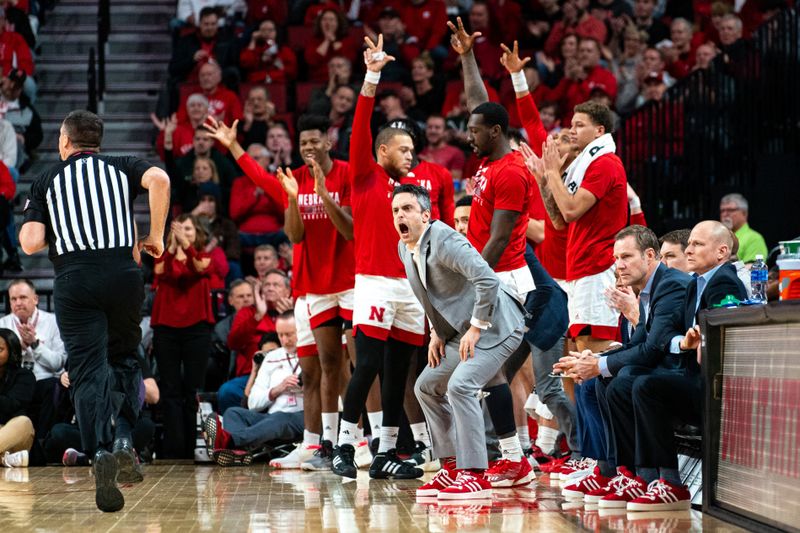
(86, 203)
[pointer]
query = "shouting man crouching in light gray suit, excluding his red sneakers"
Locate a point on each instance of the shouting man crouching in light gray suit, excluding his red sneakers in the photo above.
(476, 324)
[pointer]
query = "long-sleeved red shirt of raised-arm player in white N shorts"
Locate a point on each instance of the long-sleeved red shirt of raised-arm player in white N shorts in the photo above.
(371, 197)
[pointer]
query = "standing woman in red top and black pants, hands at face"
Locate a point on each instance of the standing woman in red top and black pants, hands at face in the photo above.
(182, 320)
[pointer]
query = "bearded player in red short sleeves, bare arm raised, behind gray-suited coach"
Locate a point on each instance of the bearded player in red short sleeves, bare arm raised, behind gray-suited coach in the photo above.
(497, 228)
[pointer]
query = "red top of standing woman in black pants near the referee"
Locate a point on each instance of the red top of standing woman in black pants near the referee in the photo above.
(183, 295)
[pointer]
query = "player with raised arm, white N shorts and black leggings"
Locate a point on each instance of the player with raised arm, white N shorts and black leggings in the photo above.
(388, 320)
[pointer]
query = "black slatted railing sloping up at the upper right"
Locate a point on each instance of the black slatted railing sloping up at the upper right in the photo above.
(731, 128)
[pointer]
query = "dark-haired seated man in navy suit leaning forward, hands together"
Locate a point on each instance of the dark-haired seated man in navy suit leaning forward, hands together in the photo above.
(662, 293)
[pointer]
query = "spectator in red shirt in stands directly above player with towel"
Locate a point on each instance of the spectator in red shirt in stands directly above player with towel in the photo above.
(579, 80)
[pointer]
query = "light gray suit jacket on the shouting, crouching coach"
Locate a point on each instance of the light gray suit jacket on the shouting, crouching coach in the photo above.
(460, 285)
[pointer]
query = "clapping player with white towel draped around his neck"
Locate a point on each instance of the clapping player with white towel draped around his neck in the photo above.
(593, 200)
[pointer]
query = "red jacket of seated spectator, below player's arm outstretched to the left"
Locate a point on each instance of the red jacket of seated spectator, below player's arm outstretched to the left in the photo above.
(256, 211)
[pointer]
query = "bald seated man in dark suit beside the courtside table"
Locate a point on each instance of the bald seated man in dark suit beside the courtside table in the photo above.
(661, 399)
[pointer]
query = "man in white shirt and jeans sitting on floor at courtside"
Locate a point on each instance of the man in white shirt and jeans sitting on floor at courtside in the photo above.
(275, 404)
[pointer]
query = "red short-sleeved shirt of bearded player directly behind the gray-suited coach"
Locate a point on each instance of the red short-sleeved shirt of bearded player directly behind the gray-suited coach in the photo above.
(502, 184)
